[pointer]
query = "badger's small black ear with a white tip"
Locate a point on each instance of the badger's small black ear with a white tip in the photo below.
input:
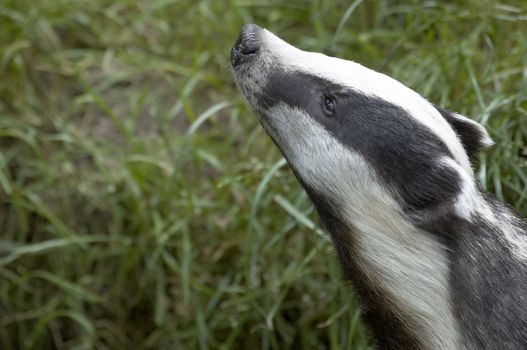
(473, 135)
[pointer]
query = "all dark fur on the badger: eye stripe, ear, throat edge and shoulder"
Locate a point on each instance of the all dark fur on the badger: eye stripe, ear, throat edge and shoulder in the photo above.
(488, 284)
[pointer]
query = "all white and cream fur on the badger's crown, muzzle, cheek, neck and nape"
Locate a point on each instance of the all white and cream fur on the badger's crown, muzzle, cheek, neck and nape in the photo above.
(408, 264)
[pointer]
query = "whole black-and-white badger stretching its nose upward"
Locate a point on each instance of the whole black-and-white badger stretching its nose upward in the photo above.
(437, 262)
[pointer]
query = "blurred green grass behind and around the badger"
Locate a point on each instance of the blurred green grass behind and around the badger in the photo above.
(142, 207)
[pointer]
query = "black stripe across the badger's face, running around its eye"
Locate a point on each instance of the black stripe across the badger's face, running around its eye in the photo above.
(403, 152)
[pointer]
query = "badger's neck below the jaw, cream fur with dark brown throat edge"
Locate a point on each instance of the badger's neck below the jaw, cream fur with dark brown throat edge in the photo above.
(400, 272)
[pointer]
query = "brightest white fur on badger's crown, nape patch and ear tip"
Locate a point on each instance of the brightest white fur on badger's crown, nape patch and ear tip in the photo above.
(369, 82)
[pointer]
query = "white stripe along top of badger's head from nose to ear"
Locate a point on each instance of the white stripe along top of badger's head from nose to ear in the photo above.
(369, 82)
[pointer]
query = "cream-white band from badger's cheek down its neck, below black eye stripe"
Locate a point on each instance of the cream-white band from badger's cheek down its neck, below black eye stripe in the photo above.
(409, 264)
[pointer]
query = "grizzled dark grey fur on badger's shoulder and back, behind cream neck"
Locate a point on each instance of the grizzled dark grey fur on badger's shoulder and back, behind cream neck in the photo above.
(489, 287)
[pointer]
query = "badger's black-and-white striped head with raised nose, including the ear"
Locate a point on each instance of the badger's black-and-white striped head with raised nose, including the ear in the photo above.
(356, 136)
